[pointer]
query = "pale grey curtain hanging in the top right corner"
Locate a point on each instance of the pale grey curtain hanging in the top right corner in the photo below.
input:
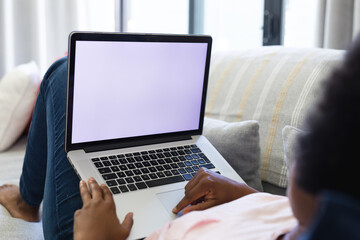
(338, 23)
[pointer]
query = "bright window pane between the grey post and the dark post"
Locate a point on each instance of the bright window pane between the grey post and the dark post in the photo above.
(232, 25)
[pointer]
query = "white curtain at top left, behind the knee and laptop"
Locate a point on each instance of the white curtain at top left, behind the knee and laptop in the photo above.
(38, 29)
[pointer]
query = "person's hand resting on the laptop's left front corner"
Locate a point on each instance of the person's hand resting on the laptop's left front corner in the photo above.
(97, 219)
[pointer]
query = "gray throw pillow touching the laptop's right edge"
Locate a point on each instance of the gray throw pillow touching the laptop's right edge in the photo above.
(239, 144)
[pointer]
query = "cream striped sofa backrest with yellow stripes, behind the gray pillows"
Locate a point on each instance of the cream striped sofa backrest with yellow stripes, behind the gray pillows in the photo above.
(273, 85)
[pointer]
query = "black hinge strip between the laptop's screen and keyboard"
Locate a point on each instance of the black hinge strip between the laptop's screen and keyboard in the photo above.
(112, 146)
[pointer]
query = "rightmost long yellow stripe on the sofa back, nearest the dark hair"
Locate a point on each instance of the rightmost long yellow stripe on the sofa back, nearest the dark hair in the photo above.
(275, 118)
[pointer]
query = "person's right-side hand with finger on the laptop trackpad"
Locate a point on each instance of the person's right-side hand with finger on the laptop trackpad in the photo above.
(207, 189)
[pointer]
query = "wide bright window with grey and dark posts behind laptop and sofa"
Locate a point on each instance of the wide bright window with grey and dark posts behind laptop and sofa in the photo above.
(233, 24)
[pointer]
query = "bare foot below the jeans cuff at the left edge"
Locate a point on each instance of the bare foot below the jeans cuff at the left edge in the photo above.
(11, 199)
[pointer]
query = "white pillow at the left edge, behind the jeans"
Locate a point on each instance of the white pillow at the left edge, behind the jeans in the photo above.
(18, 92)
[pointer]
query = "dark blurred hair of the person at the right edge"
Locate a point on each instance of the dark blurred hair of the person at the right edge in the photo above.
(328, 157)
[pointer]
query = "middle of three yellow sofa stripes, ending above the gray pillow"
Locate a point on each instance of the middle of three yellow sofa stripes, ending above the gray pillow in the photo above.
(251, 85)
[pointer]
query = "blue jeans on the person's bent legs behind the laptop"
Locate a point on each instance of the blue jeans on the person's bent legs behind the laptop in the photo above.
(47, 176)
